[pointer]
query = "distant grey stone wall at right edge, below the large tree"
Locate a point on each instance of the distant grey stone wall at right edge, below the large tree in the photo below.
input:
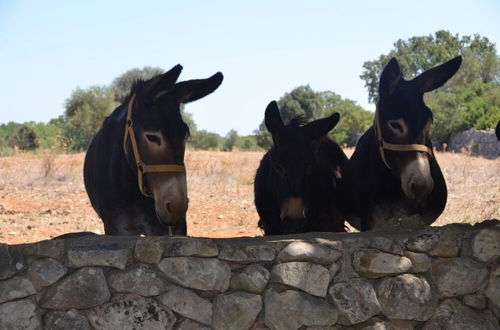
(478, 143)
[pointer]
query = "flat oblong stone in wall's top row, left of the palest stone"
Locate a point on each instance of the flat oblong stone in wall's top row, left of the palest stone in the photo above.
(247, 253)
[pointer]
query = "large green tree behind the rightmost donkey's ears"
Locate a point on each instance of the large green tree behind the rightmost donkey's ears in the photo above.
(471, 99)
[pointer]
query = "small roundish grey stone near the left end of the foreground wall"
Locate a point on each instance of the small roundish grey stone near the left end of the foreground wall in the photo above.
(46, 271)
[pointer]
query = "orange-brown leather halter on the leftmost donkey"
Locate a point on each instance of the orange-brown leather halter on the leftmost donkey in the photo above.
(143, 168)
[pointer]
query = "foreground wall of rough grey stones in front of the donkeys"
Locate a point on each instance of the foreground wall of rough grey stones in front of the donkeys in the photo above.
(438, 278)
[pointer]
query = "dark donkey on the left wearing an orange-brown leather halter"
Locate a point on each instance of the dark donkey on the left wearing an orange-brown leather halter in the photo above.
(134, 168)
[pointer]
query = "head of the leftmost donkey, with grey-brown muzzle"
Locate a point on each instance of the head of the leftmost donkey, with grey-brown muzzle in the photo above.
(161, 136)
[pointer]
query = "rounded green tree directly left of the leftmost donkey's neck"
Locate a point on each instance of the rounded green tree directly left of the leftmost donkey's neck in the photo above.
(85, 112)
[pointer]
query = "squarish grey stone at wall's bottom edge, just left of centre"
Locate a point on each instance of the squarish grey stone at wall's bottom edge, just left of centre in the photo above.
(236, 310)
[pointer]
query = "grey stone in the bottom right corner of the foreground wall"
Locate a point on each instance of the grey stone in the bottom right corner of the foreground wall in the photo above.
(452, 315)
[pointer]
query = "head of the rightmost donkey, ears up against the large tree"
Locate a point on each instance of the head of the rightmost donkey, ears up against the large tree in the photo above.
(404, 119)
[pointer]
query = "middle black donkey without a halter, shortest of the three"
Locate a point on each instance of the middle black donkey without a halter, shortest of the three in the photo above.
(295, 184)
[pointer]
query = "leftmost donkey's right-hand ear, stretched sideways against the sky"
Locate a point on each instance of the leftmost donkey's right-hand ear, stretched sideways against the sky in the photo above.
(192, 90)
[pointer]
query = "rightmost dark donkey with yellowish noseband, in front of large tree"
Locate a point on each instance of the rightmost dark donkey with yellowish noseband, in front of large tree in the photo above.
(393, 179)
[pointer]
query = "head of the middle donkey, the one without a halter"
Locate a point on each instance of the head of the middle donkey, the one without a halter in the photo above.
(292, 157)
